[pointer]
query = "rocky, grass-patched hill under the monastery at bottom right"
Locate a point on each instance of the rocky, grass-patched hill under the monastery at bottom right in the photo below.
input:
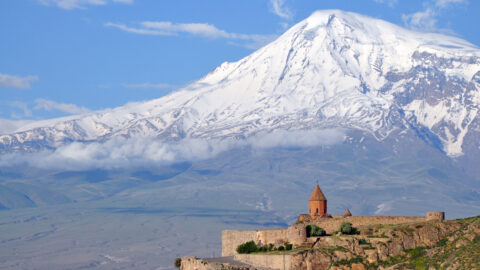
(453, 244)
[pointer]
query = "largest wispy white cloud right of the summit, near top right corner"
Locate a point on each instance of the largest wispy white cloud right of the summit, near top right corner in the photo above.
(427, 19)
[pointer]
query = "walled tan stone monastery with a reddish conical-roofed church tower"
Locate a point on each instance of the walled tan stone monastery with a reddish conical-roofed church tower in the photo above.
(297, 234)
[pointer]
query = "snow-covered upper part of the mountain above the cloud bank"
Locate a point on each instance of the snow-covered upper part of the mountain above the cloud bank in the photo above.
(333, 69)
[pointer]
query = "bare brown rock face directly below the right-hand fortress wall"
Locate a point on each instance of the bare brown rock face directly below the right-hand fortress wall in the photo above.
(382, 243)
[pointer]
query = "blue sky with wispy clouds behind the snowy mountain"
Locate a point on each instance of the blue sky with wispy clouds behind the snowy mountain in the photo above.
(62, 57)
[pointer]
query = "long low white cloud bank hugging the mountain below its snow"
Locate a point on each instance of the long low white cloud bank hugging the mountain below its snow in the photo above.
(138, 152)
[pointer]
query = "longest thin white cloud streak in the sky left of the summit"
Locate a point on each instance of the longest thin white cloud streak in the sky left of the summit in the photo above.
(204, 30)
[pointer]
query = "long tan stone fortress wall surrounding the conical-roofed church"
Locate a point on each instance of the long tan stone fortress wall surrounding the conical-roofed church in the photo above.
(296, 234)
